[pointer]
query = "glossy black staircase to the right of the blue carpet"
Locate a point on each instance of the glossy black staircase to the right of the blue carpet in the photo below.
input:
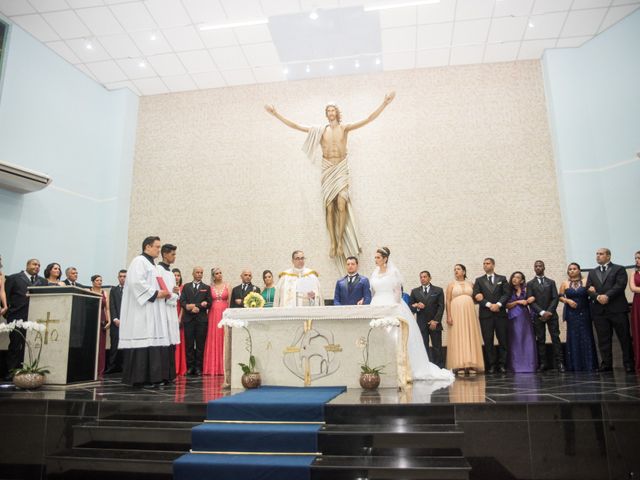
(390, 441)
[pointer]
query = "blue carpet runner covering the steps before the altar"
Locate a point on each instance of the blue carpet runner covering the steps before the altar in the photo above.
(269, 433)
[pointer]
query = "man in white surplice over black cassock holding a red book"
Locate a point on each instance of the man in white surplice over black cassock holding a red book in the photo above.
(142, 335)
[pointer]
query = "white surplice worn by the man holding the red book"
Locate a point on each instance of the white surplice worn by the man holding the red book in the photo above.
(140, 321)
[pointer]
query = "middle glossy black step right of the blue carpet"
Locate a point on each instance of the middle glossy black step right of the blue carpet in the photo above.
(402, 440)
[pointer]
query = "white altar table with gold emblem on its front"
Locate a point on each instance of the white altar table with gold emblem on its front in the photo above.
(319, 346)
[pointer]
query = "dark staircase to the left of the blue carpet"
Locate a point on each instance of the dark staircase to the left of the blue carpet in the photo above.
(139, 443)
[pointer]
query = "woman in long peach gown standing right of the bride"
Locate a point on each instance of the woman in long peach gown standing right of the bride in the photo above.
(464, 341)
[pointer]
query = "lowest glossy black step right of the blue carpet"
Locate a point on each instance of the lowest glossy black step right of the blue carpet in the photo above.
(366, 467)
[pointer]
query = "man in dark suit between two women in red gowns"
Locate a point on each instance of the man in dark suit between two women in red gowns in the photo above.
(195, 300)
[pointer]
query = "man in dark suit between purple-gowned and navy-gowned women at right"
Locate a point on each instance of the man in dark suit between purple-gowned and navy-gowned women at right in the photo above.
(544, 308)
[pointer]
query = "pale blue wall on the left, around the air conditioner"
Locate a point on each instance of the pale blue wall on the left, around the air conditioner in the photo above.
(55, 120)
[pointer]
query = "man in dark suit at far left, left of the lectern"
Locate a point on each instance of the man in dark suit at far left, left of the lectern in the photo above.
(16, 288)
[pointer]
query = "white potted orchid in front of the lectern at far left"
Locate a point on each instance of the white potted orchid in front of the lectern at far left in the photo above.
(31, 375)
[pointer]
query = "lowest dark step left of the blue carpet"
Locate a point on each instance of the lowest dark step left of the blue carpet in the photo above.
(113, 460)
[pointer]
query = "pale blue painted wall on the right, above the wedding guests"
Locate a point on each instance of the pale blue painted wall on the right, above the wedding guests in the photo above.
(593, 96)
